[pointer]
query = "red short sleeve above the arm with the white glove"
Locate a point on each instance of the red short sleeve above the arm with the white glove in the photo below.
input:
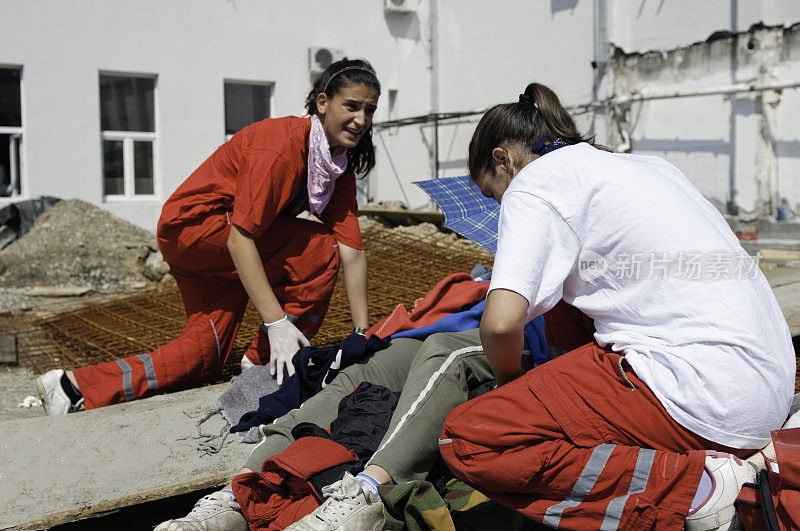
(264, 186)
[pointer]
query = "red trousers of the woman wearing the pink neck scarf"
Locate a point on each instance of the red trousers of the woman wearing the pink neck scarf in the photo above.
(301, 261)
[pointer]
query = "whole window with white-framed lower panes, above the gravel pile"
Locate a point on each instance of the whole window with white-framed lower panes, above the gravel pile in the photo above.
(128, 131)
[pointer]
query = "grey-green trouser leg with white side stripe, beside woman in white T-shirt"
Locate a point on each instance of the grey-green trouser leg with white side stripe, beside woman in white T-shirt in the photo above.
(444, 370)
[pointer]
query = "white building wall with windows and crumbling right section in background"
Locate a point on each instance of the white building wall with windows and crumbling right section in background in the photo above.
(116, 102)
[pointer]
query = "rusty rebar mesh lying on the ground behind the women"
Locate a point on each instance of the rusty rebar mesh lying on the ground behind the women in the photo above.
(403, 266)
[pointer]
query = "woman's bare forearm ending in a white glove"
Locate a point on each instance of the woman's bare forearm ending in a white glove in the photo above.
(252, 275)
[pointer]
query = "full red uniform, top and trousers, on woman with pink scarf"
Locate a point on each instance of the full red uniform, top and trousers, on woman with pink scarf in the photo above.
(256, 181)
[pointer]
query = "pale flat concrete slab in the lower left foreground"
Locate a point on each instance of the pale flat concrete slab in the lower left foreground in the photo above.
(60, 469)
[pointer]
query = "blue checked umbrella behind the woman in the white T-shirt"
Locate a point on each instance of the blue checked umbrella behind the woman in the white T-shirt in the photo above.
(466, 210)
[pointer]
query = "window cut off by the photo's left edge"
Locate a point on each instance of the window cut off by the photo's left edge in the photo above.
(10, 131)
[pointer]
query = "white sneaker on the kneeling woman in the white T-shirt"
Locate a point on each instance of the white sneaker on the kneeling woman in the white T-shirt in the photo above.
(728, 474)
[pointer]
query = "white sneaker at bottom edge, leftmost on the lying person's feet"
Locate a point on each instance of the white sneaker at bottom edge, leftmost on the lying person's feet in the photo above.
(216, 512)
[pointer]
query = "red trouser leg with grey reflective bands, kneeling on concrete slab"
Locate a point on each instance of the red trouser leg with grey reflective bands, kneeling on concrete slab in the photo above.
(214, 301)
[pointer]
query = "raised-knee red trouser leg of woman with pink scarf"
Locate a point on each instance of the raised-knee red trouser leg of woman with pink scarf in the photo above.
(301, 259)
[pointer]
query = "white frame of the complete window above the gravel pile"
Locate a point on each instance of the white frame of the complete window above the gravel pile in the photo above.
(128, 138)
